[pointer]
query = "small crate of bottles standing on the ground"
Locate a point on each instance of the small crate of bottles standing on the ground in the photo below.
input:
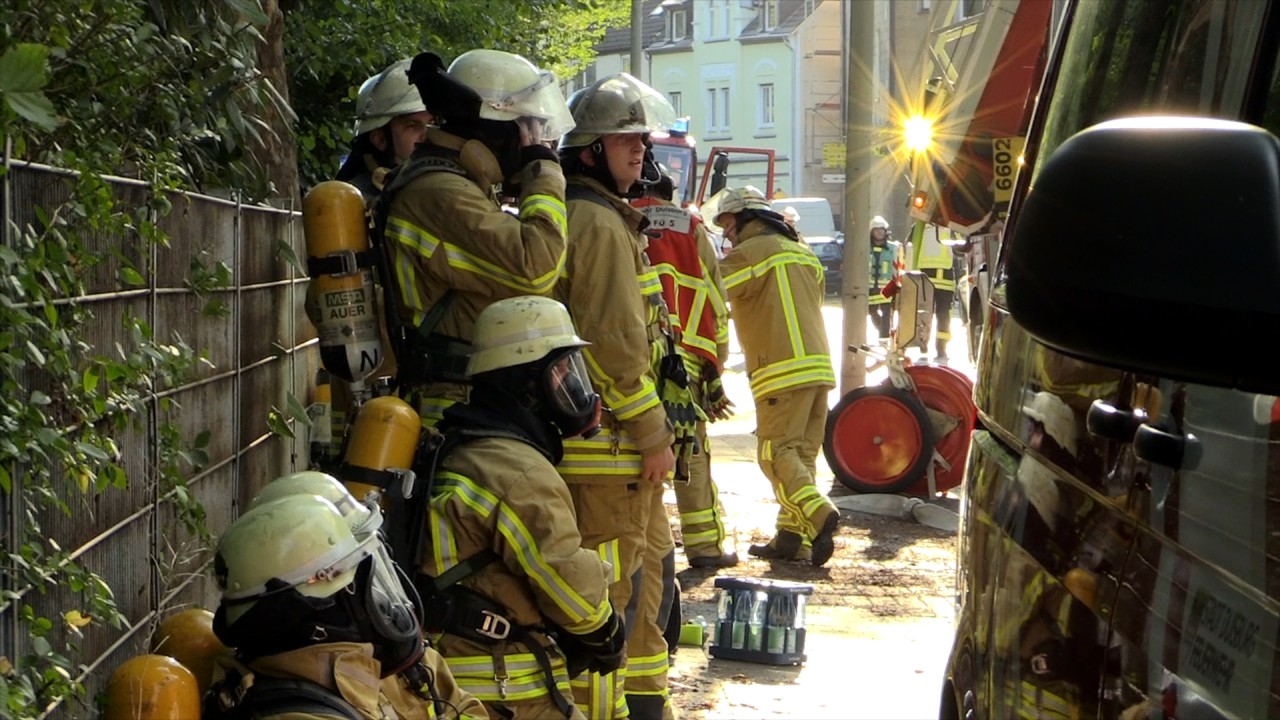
(761, 621)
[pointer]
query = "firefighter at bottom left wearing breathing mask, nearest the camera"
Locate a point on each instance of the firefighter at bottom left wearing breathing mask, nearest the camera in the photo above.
(321, 623)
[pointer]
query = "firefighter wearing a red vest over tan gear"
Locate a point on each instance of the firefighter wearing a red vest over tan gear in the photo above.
(692, 286)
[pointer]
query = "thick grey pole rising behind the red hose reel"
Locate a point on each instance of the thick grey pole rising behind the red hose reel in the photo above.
(860, 93)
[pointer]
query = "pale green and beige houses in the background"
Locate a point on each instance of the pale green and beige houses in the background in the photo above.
(772, 75)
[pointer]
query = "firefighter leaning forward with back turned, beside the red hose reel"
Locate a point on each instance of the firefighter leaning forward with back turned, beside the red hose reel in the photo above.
(775, 288)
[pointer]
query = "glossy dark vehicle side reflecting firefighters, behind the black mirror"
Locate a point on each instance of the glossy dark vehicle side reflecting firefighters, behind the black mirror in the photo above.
(1099, 576)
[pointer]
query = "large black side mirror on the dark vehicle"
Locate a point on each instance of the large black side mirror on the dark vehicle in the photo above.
(1154, 245)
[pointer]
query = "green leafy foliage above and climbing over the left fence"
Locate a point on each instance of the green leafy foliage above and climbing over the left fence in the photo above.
(170, 93)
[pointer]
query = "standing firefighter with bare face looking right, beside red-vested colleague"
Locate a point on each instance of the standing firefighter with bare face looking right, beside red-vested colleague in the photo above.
(615, 298)
